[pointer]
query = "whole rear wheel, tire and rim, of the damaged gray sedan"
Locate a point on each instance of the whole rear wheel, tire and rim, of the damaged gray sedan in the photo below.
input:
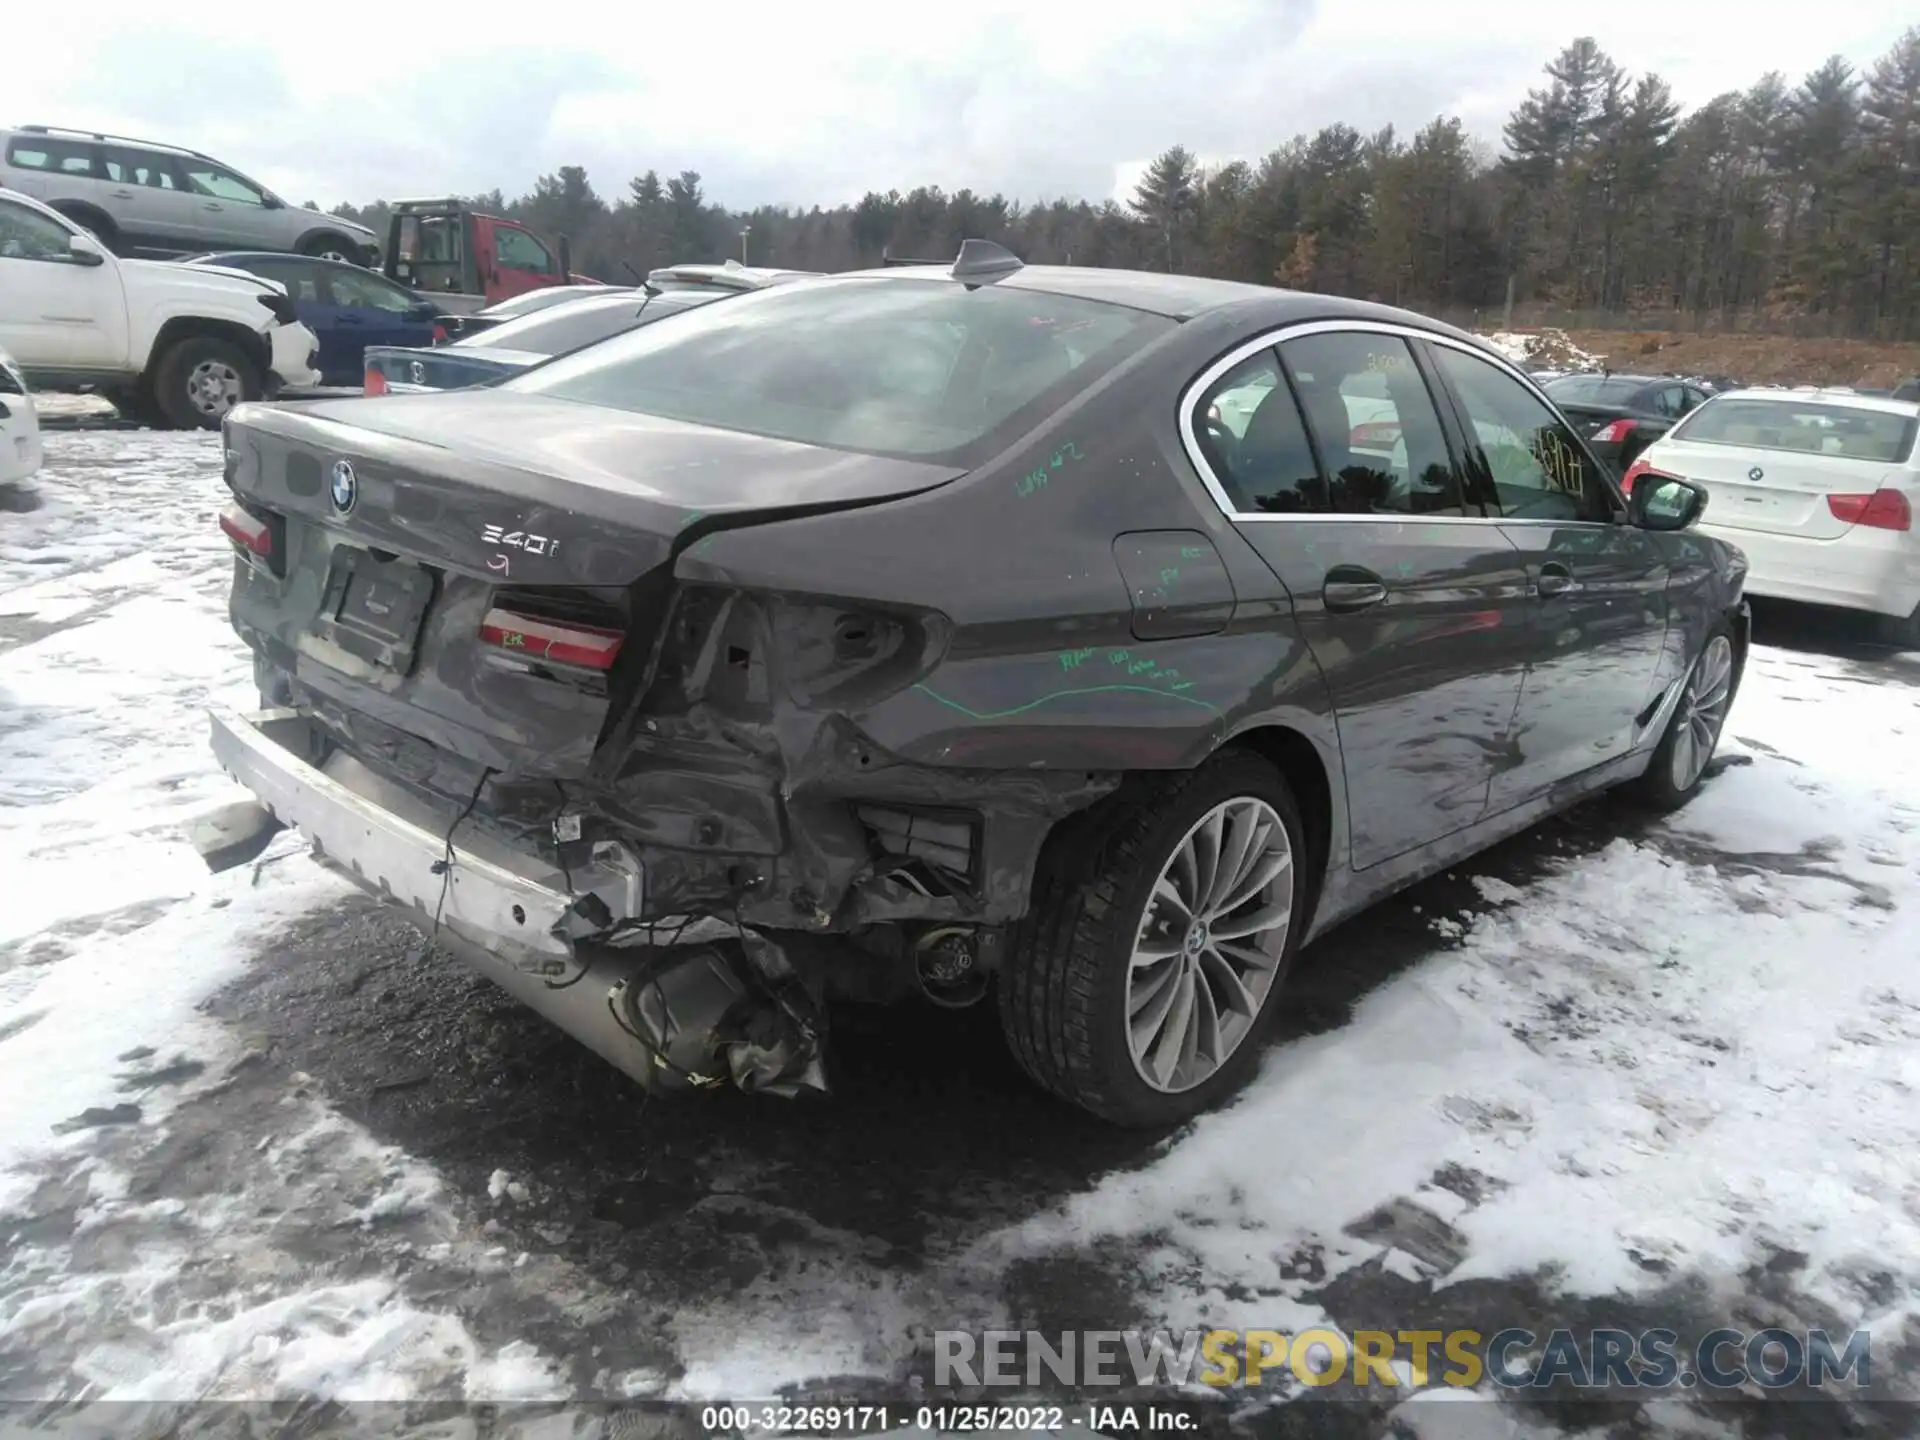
(1163, 924)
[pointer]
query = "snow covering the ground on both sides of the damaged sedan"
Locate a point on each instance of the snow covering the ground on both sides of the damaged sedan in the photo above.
(1675, 1059)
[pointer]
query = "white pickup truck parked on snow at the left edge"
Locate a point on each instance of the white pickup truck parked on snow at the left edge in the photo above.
(168, 345)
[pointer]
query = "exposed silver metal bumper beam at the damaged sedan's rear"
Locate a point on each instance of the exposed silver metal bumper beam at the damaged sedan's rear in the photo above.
(510, 905)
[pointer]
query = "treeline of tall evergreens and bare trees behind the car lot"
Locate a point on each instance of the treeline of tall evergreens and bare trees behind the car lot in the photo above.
(1781, 206)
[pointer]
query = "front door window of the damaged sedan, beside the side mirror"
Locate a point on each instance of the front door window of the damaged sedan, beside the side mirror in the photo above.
(1529, 456)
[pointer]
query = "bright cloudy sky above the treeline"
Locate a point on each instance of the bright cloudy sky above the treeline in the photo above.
(821, 103)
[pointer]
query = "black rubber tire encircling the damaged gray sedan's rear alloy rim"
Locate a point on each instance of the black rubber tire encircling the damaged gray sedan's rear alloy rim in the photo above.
(1065, 984)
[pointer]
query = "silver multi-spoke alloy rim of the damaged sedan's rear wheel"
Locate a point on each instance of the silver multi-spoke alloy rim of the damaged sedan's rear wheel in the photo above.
(1211, 944)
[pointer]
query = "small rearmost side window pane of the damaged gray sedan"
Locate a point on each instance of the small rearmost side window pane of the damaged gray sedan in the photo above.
(1251, 433)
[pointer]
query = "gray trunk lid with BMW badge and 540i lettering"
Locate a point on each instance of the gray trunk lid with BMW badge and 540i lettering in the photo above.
(469, 581)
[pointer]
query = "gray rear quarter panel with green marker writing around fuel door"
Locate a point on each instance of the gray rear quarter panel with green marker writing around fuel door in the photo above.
(1047, 667)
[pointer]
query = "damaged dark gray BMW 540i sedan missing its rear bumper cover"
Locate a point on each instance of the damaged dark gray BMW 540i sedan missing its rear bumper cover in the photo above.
(1072, 640)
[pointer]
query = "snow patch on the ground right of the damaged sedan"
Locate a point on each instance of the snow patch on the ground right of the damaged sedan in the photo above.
(1681, 1057)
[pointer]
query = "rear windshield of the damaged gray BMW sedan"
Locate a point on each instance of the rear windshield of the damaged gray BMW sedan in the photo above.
(921, 370)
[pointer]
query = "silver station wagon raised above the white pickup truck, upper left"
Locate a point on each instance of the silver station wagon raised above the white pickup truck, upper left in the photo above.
(145, 199)
